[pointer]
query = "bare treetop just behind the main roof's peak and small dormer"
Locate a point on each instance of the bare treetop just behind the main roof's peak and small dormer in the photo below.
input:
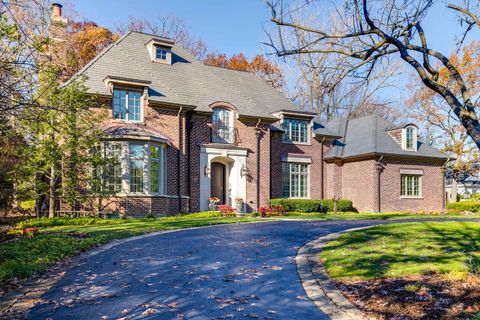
(168, 26)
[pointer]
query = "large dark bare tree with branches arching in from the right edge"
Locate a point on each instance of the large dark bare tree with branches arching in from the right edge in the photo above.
(381, 29)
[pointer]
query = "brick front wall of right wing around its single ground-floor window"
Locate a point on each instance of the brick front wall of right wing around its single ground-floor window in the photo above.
(432, 187)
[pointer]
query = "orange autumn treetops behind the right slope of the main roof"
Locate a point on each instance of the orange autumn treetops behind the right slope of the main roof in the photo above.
(269, 71)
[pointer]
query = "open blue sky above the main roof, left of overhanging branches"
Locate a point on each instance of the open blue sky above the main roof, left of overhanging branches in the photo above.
(226, 26)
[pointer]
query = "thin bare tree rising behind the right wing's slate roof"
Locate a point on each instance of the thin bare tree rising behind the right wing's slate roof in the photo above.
(316, 78)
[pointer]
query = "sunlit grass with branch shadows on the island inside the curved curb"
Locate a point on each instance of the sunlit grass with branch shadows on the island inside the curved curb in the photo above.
(399, 250)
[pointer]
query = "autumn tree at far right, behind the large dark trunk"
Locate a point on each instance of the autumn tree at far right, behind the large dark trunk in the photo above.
(443, 126)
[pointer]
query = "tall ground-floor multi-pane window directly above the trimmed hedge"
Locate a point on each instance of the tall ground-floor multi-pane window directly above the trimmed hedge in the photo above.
(295, 180)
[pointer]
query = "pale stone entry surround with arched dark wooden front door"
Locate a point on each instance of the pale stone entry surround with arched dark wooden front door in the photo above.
(223, 173)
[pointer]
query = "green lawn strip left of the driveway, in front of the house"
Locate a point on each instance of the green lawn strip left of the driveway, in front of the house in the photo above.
(60, 238)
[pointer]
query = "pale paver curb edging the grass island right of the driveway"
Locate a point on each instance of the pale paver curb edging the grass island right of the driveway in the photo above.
(317, 284)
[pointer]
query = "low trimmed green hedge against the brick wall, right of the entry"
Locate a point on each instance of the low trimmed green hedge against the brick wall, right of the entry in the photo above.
(312, 205)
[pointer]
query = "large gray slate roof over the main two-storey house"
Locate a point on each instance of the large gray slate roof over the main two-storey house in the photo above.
(185, 82)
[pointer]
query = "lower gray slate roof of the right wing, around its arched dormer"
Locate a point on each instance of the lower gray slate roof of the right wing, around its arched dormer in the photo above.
(369, 135)
